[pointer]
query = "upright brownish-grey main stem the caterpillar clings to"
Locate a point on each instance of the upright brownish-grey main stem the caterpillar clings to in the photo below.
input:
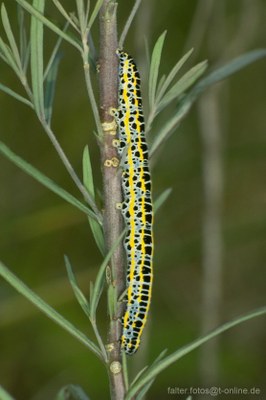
(112, 220)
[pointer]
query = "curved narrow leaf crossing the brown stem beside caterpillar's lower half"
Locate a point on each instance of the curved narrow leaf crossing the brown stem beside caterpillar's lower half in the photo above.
(100, 278)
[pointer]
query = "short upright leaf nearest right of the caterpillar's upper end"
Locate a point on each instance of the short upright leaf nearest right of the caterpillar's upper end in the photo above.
(154, 68)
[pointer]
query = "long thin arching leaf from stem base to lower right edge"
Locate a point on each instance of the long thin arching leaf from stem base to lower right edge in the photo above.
(152, 371)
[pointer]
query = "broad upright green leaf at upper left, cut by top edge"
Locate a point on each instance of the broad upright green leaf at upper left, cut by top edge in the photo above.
(36, 51)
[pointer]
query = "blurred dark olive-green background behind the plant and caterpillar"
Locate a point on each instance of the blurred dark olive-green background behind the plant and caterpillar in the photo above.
(37, 228)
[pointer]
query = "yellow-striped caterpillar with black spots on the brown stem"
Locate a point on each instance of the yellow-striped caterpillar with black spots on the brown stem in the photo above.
(137, 202)
